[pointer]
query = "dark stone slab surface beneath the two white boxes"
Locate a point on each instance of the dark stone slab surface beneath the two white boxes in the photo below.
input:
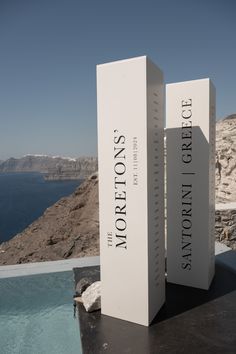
(191, 321)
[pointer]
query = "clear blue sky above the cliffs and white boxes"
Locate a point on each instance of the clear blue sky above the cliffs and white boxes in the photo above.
(49, 50)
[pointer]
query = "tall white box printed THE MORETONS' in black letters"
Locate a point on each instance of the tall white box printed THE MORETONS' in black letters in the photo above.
(130, 96)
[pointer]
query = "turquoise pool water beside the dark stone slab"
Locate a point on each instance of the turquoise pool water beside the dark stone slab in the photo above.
(36, 315)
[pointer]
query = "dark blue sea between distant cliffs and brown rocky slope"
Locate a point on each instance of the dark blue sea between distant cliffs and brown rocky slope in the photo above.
(24, 197)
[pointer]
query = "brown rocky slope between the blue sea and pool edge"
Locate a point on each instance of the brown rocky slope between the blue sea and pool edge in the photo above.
(68, 229)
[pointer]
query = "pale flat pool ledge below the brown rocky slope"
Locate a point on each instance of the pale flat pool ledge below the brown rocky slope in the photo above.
(46, 267)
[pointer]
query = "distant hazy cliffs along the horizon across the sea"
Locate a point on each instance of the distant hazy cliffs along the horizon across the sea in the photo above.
(52, 167)
